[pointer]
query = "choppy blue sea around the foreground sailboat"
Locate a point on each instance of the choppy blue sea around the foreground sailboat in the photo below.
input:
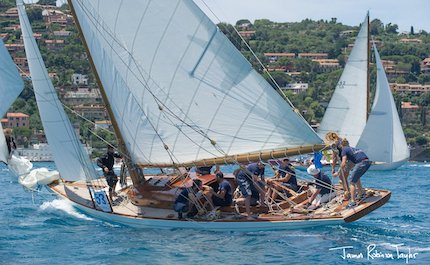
(42, 229)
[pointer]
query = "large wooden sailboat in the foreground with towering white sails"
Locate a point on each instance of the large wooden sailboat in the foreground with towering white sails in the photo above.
(179, 95)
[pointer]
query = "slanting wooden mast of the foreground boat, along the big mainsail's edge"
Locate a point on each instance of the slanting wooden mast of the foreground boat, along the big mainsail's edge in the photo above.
(135, 177)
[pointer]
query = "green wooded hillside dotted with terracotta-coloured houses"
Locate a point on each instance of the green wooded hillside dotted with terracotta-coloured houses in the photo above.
(308, 52)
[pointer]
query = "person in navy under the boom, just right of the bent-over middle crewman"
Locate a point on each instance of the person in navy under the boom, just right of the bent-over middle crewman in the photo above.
(285, 176)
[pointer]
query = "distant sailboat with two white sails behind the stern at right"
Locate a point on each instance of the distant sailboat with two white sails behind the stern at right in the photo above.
(378, 133)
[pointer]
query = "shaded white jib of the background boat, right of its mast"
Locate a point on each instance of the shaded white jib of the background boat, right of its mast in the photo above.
(383, 139)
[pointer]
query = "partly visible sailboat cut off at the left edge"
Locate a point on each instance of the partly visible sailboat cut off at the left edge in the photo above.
(11, 85)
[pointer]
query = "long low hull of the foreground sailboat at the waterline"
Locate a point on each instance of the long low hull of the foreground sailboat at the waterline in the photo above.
(147, 217)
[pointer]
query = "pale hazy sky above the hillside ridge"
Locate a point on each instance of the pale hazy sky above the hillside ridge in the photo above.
(404, 13)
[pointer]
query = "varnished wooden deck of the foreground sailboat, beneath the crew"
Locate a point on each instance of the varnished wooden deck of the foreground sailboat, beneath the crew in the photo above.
(158, 203)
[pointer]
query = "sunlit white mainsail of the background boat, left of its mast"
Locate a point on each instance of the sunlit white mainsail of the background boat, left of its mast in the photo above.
(346, 113)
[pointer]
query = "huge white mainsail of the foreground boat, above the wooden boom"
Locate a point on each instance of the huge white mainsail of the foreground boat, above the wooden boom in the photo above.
(174, 81)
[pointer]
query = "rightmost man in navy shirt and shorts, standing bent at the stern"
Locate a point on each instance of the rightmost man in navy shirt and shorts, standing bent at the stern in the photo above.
(362, 164)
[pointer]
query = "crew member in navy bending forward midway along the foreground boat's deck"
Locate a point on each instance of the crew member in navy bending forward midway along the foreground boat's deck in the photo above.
(250, 181)
